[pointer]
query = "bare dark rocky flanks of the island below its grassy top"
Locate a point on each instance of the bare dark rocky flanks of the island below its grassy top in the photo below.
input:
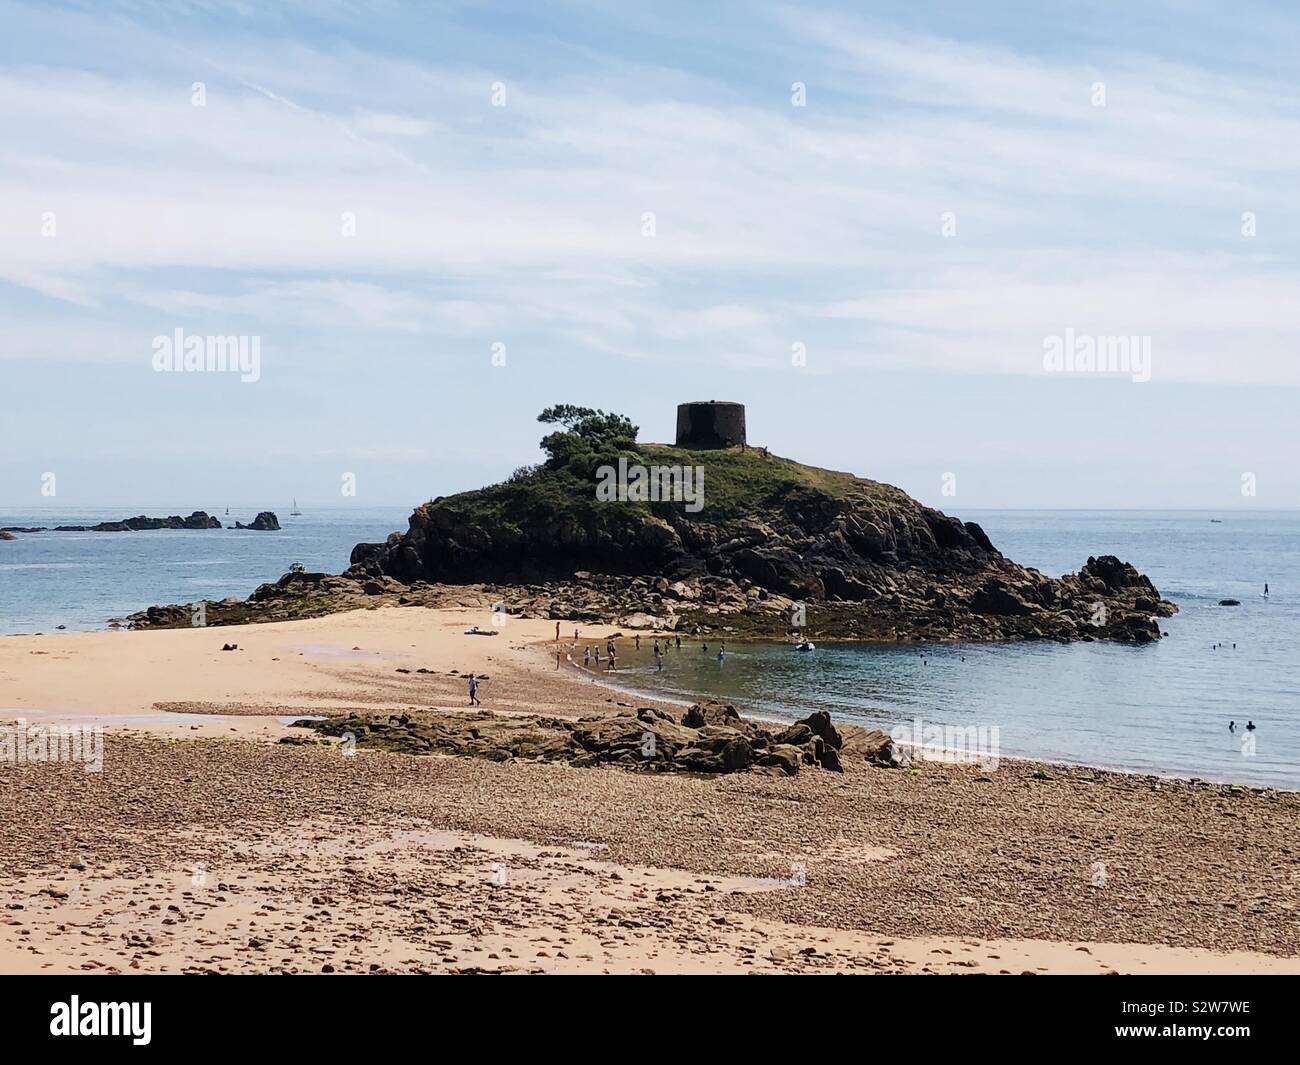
(847, 557)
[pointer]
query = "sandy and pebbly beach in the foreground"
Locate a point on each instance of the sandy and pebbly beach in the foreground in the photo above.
(206, 845)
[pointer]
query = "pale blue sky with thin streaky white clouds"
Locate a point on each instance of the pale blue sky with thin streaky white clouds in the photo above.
(869, 223)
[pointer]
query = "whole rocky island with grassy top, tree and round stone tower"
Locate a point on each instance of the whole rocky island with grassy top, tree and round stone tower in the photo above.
(708, 534)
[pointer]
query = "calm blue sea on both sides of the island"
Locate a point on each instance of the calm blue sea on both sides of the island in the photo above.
(1163, 708)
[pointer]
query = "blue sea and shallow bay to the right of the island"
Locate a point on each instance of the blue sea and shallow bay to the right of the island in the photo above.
(1156, 709)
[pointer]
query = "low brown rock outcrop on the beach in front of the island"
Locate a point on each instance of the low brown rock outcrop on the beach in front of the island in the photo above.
(709, 739)
